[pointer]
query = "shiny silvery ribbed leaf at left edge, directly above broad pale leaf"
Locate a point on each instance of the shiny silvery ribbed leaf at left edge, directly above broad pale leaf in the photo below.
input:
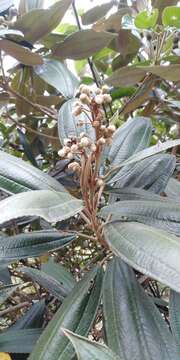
(17, 175)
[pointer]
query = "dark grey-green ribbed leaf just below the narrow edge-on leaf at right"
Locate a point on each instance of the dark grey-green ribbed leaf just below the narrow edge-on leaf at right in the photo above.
(151, 174)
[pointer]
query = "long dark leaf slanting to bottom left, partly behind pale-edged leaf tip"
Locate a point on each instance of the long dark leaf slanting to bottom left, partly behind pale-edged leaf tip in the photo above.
(77, 313)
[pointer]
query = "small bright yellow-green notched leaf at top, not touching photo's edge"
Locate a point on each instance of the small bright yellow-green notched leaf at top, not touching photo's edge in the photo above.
(144, 20)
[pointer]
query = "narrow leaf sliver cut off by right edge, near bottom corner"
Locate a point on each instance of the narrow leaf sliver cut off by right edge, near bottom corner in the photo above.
(174, 316)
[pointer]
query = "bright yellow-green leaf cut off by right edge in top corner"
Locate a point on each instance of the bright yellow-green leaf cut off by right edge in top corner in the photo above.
(171, 16)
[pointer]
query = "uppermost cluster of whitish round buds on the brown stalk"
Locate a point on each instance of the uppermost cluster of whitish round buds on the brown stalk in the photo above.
(90, 98)
